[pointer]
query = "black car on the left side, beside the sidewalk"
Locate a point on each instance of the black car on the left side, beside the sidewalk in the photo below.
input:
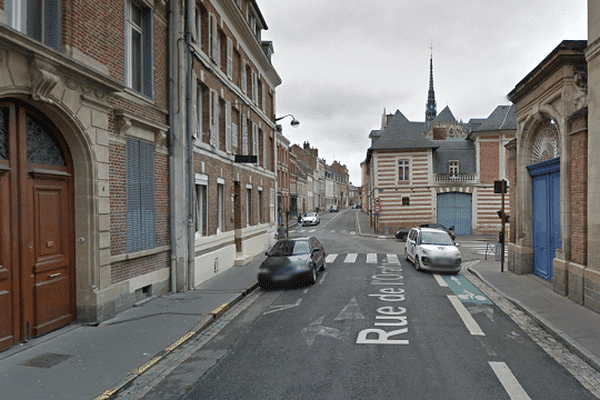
(292, 261)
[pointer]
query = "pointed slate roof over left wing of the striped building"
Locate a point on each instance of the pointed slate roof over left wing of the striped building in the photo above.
(402, 134)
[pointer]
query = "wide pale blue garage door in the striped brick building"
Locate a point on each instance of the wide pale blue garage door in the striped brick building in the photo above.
(455, 209)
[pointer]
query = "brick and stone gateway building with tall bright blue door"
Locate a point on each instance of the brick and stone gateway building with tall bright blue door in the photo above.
(552, 166)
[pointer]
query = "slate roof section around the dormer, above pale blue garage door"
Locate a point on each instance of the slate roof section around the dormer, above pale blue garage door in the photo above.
(461, 150)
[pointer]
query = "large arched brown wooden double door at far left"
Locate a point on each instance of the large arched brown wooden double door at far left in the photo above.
(37, 275)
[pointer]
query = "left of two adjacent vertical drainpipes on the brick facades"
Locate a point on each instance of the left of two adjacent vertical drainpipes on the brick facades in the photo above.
(172, 105)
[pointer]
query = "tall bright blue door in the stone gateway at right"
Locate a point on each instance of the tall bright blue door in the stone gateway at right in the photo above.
(546, 215)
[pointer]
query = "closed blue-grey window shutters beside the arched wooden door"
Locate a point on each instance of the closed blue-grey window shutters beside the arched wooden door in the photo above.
(140, 193)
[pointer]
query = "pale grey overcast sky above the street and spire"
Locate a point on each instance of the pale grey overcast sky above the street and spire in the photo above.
(343, 61)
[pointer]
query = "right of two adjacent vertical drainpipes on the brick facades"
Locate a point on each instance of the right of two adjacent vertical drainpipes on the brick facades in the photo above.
(189, 23)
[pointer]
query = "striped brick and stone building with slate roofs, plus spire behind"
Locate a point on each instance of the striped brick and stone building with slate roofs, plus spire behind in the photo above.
(440, 170)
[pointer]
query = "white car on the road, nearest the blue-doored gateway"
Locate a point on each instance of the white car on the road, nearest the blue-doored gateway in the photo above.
(432, 250)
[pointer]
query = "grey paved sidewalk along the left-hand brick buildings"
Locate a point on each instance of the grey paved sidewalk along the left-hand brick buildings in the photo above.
(84, 362)
